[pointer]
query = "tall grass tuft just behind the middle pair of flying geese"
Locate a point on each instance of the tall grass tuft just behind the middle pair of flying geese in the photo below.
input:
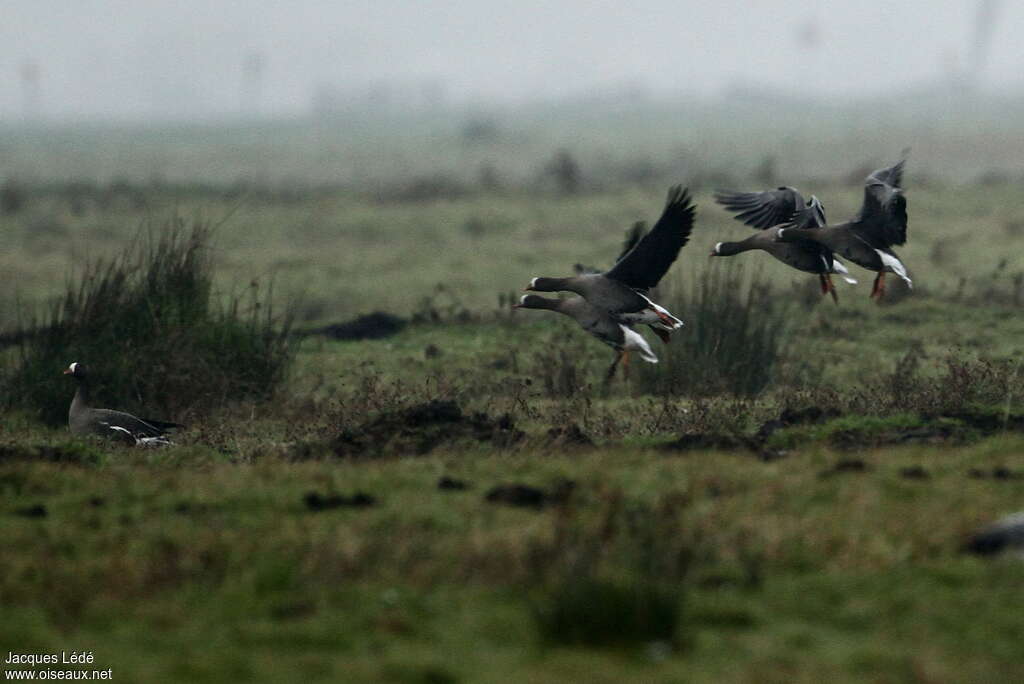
(737, 329)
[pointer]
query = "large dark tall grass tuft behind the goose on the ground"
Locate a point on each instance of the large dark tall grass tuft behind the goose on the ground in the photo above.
(154, 334)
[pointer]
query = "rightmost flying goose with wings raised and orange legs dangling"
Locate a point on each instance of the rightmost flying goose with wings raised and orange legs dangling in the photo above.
(868, 239)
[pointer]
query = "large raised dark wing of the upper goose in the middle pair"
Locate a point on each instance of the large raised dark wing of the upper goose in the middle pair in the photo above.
(644, 267)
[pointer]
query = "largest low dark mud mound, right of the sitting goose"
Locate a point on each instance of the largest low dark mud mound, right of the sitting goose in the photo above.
(416, 432)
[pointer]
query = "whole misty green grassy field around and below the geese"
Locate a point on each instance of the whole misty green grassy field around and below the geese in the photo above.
(656, 536)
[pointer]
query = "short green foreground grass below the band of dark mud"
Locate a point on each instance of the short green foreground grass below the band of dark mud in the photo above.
(187, 567)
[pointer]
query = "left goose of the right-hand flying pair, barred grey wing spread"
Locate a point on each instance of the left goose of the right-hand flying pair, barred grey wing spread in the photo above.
(766, 211)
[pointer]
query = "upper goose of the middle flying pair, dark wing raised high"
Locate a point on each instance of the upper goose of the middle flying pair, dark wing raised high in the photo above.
(622, 291)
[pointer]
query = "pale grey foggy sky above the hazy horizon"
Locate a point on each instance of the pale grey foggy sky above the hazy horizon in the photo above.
(145, 60)
